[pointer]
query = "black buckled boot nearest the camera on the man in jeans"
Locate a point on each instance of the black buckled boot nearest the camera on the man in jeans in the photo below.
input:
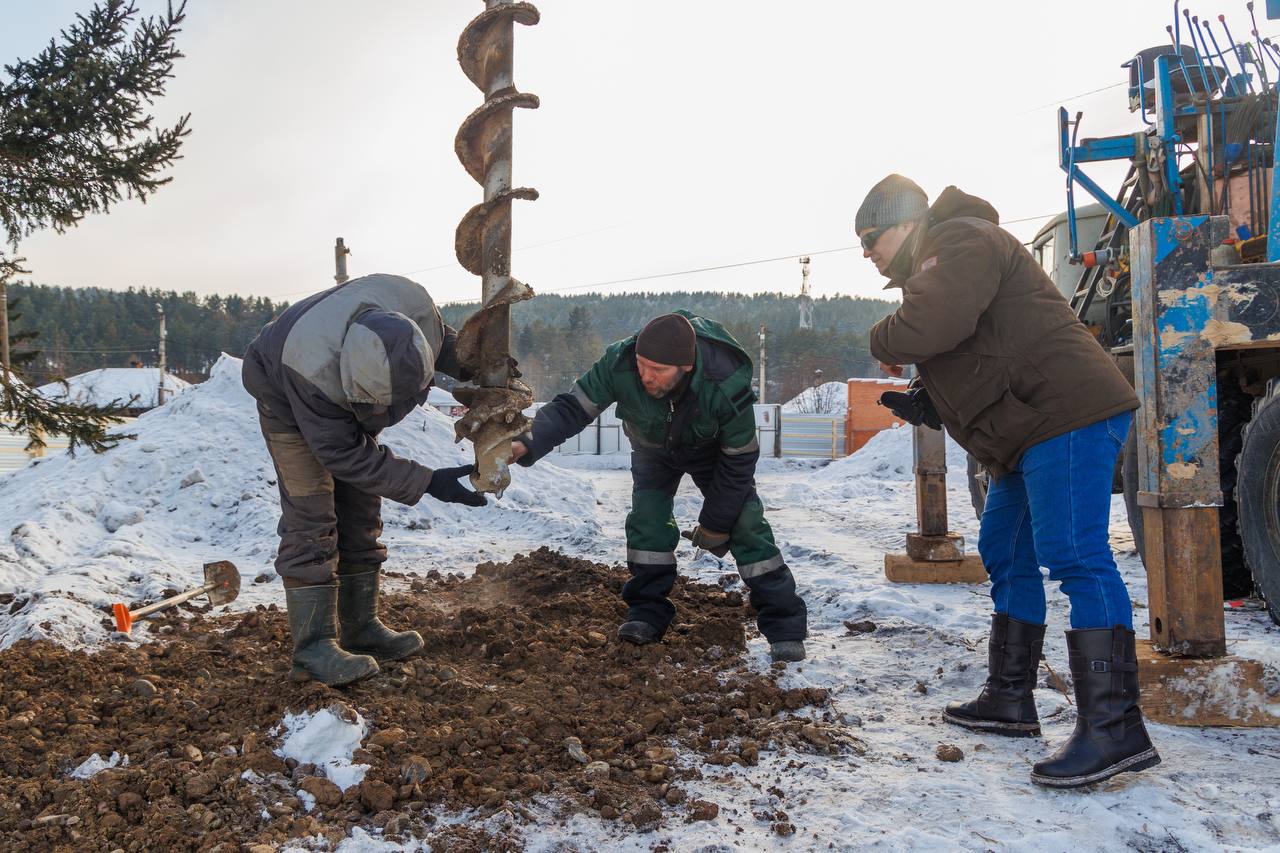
(1110, 737)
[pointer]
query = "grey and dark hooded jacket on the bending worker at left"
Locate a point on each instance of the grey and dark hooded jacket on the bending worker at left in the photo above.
(342, 366)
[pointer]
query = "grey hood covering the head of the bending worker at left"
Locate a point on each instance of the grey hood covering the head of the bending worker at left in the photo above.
(386, 359)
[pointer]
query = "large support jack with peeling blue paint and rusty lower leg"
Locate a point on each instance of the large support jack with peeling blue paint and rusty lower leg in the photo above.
(1186, 311)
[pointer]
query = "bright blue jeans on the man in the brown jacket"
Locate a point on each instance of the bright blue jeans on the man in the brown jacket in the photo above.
(1054, 512)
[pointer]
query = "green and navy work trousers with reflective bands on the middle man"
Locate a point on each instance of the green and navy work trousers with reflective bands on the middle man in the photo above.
(652, 539)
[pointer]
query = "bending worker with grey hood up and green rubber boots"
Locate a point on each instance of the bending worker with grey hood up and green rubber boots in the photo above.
(330, 375)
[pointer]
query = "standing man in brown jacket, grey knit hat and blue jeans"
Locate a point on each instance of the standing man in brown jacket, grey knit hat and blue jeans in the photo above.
(1020, 382)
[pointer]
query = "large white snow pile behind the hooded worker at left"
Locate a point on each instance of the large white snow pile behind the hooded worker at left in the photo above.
(198, 486)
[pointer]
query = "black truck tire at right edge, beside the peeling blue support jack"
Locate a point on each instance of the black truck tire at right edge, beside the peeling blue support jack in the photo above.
(1258, 494)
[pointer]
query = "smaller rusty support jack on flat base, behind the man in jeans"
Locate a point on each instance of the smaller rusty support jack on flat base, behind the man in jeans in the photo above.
(935, 555)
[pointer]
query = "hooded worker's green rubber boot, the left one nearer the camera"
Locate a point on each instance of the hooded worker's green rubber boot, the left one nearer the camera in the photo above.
(316, 647)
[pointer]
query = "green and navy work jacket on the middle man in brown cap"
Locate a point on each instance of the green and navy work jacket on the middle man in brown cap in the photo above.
(707, 416)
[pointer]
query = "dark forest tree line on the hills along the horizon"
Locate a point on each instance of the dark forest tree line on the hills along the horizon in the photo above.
(62, 331)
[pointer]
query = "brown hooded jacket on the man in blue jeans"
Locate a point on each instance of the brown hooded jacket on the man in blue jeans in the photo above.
(1005, 361)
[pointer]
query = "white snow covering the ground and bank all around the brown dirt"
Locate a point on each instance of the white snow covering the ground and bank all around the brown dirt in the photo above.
(198, 486)
